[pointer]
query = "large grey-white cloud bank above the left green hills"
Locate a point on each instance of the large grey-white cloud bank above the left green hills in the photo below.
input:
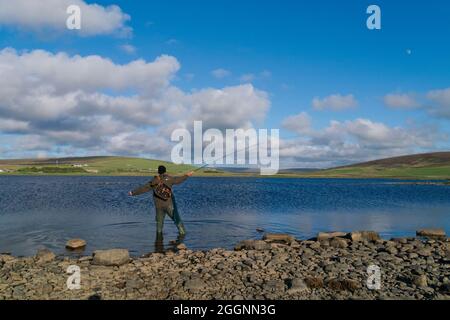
(56, 103)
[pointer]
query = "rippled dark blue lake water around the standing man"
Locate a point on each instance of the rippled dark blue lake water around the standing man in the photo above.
(37, 212)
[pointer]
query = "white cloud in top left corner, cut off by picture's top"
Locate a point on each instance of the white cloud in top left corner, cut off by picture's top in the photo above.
(51, 15)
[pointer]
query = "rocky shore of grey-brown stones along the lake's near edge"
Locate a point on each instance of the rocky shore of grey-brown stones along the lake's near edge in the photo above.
(331, 266)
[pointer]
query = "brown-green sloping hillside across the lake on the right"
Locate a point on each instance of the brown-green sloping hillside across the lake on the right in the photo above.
(421, 166)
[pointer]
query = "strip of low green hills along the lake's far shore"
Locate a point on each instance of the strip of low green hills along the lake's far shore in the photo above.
(434, 166)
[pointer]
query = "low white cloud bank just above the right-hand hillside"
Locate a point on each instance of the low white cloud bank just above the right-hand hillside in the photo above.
(352, 141)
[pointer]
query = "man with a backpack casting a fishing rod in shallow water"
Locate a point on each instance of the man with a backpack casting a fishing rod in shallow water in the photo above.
(164, 199)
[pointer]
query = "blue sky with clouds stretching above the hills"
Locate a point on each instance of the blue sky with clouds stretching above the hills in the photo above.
(390, 86)
